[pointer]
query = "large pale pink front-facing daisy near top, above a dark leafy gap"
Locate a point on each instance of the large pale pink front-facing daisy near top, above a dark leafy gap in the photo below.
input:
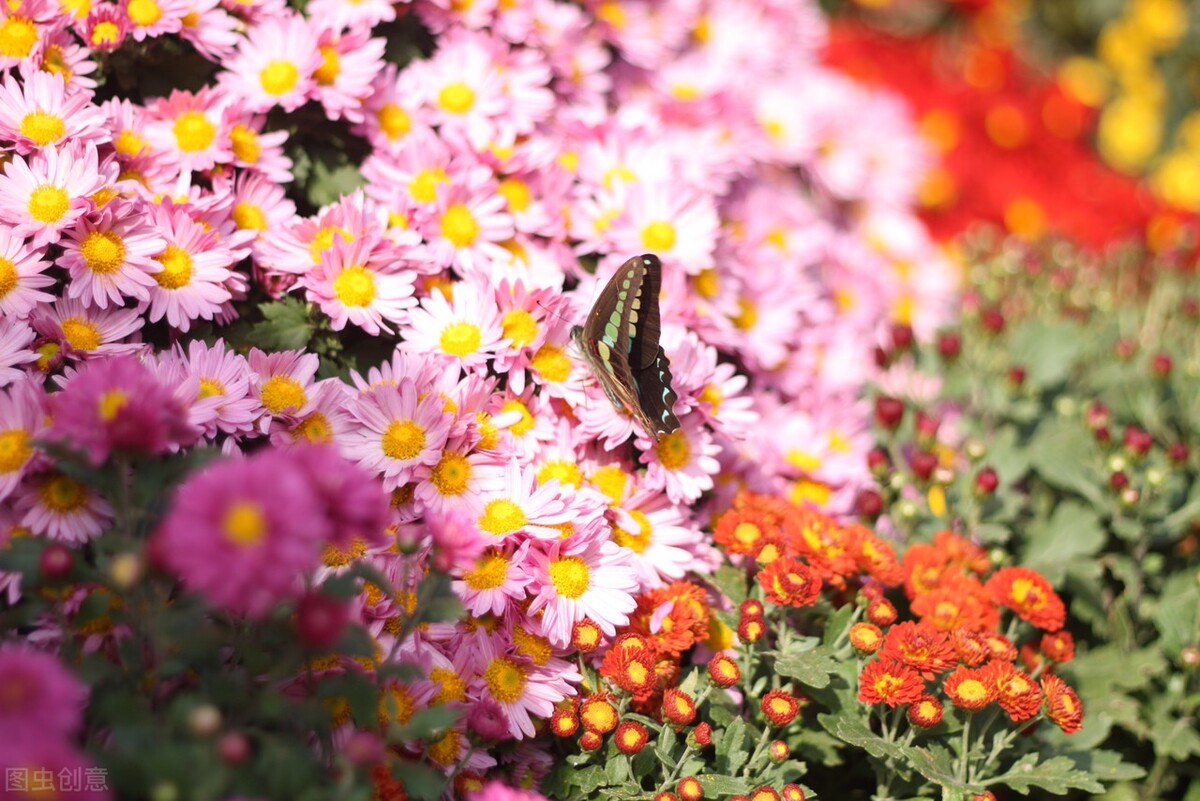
(274, 64)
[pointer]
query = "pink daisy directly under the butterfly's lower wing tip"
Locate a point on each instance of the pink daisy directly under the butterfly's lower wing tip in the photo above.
(683, 462)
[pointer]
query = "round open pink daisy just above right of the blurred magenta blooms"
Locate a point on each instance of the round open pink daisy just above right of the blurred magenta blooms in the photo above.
(398, 436)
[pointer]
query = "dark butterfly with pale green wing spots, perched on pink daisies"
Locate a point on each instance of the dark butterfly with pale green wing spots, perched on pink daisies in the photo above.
(620, 342)
